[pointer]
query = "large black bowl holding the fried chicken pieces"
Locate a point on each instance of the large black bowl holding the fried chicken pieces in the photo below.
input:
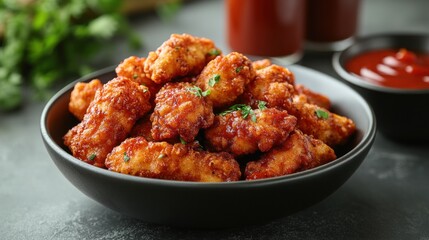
(213, 205)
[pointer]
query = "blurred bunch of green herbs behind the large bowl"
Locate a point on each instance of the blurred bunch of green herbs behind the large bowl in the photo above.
(47, 41)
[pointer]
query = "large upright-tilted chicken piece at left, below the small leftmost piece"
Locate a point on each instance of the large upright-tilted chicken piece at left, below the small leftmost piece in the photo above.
(108, 121)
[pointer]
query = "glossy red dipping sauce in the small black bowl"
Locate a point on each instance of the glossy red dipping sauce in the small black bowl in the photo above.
(392, 68)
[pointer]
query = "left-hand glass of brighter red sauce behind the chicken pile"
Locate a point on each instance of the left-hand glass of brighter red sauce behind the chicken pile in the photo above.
(266, 27)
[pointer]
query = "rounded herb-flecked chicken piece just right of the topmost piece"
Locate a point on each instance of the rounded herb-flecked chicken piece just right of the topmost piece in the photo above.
(226, 78)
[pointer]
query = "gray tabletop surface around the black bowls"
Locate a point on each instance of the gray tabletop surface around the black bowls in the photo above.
(386, 198)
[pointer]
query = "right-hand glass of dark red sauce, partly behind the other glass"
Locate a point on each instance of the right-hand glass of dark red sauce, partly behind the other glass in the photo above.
(331, 24)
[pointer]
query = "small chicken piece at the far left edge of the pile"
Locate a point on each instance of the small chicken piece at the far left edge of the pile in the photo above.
(81, 96)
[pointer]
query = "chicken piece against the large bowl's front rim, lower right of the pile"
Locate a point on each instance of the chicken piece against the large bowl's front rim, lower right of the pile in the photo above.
(299, 152)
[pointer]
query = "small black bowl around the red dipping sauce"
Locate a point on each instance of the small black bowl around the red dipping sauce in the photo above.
(401, 114)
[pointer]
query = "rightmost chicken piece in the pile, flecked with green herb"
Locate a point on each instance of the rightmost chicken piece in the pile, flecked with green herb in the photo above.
(329, 127)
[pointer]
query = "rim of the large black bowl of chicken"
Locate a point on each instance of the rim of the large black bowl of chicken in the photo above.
(366, 142)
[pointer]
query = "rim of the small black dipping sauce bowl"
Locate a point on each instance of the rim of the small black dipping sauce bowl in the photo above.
(356, 80)
